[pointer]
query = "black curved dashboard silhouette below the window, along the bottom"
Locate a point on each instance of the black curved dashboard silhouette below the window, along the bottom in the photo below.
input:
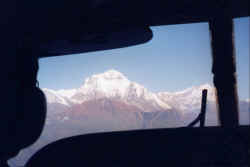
(181, 147)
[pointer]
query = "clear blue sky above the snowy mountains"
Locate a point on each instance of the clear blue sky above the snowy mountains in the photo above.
(178, 57)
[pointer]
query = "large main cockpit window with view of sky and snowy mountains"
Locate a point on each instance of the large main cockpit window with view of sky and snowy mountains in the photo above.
(154, 85)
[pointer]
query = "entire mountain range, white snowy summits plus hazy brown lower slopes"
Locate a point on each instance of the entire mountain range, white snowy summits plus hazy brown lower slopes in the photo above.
(113, 91)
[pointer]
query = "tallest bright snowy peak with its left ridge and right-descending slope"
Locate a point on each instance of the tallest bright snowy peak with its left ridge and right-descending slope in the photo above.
(113, 85)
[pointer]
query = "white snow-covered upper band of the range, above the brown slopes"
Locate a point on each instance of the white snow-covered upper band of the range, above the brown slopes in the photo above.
(114, 85)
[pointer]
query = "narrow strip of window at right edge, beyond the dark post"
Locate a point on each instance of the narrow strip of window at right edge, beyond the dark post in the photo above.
(242, 59)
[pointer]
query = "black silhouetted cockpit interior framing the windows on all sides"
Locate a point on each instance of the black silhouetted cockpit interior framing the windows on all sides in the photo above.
(61, 27)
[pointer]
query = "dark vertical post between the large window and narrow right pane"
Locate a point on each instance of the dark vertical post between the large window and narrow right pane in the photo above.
(224, 69)
